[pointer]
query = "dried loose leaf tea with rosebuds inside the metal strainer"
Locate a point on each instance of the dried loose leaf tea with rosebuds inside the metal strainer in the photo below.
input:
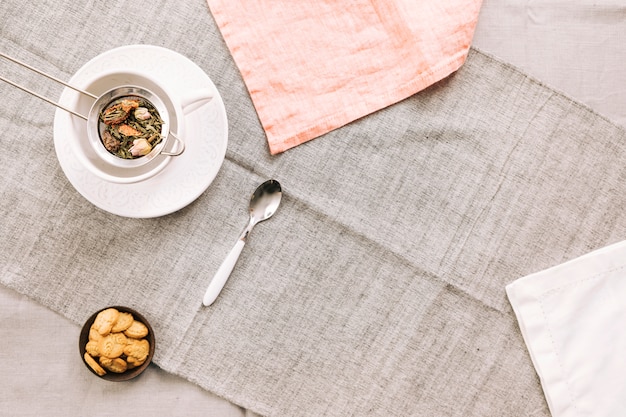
(132, 127)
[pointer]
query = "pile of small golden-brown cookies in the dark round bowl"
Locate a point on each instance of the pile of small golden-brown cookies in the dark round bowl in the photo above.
(117, 341)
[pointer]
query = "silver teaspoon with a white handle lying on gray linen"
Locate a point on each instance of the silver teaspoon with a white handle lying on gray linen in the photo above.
(263, 205)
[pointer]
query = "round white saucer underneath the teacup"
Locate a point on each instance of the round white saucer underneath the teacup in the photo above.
(186, 176)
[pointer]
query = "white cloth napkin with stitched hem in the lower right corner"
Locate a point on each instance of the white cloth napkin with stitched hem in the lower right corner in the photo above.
(573, 320)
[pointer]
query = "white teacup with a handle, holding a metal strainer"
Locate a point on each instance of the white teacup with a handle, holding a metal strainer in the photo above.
(172, 108)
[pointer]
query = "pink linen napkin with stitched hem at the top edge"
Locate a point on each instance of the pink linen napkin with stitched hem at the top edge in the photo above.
(314, 66)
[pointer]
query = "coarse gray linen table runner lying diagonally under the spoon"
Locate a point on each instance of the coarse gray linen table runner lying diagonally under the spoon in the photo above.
(378, 287)
